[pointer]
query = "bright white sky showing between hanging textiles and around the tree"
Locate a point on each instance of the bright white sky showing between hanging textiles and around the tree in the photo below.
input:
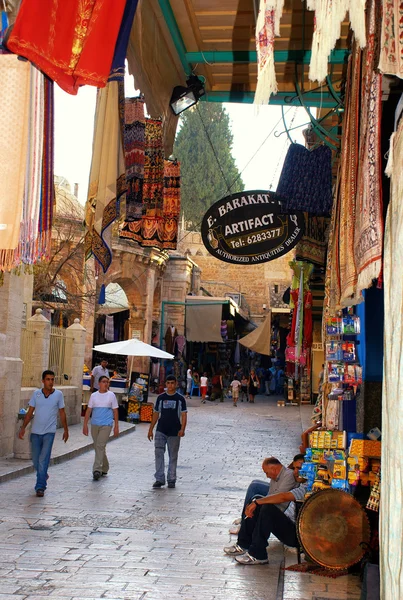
(258, 151)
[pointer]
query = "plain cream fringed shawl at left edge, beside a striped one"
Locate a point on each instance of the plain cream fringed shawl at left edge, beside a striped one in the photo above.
(15, 77)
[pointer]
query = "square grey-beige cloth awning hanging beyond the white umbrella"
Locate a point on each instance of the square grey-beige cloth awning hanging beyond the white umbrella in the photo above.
(203, 322)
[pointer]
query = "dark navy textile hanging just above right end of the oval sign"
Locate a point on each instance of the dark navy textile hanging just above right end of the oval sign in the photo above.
(306, 180)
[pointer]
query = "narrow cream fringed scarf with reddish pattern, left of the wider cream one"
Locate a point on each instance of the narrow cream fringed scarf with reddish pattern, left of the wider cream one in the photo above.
(267, 27)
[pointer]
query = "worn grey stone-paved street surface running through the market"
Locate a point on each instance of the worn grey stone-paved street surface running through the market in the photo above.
(118, 538)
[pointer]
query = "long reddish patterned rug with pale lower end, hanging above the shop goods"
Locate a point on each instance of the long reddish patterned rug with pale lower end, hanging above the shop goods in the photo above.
(368, 234)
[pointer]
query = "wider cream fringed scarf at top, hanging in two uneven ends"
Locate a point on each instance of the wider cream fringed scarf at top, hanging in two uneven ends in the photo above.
(329, 15)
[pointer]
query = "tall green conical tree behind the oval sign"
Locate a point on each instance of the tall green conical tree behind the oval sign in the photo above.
(208, 170)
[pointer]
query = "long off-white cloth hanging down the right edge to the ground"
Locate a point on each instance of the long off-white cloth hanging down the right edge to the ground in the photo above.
(392, 414)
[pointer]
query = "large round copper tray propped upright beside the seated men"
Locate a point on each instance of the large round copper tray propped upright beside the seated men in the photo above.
(331, 526)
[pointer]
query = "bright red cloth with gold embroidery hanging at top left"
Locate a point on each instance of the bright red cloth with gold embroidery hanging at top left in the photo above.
(72, 42)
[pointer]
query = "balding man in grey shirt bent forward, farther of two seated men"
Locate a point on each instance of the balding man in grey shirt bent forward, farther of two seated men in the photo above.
(282, 480)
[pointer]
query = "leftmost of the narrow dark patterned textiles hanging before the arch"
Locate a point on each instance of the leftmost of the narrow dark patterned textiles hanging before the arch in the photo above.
(135, 125)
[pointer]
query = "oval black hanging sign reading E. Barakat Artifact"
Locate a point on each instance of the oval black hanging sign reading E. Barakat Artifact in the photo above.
(250, 228)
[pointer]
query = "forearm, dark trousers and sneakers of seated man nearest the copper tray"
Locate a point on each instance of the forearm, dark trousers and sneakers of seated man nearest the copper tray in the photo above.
(264, 517)
